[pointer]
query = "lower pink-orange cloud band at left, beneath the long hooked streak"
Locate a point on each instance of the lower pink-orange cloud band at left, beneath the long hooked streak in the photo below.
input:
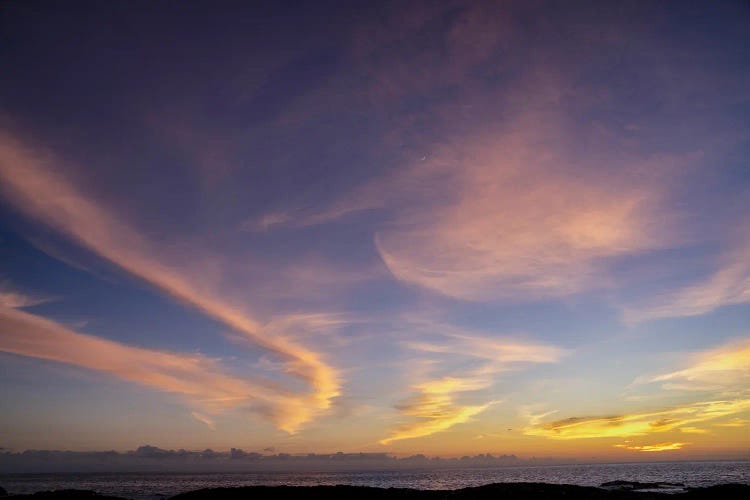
(196, 378)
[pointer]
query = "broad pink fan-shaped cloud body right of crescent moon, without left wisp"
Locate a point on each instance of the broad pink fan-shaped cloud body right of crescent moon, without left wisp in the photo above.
(507, 219)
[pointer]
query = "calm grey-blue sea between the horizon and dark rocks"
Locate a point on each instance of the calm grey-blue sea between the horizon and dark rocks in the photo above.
(158, 485)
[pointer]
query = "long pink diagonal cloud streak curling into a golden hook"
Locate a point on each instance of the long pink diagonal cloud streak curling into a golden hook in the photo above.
(34, 185)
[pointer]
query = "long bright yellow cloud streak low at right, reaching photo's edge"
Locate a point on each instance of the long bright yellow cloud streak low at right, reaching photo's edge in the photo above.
(638, 424)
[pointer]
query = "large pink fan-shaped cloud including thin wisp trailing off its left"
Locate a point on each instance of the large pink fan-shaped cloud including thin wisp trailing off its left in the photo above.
(492, 216)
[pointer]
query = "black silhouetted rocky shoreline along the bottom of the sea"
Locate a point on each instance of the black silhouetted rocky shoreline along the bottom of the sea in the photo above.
(616, 490)
